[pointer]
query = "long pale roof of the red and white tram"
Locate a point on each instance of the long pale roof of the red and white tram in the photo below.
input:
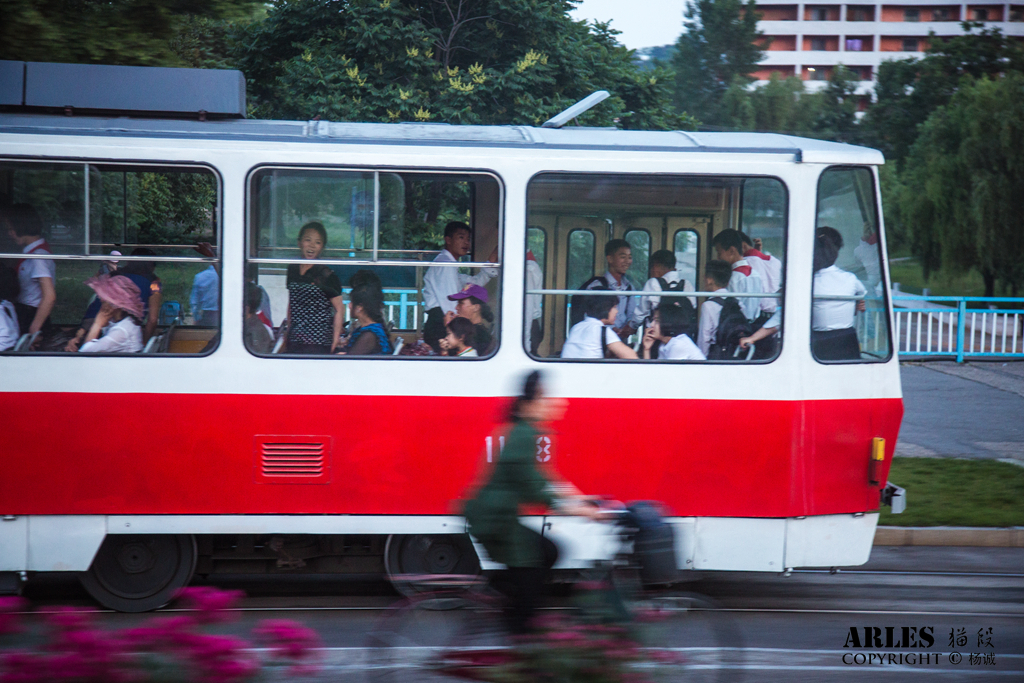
(801, 149)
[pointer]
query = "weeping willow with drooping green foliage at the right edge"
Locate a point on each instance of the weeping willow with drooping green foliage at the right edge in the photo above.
(964, 181)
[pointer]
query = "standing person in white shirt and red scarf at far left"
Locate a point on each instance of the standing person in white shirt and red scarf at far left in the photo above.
(36, 277)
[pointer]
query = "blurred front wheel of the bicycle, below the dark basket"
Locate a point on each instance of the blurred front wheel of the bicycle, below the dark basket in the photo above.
(687, 637)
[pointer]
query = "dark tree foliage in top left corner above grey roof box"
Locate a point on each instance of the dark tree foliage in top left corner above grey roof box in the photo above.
(111, 32)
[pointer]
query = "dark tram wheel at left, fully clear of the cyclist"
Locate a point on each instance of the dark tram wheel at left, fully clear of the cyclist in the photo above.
(137, 574)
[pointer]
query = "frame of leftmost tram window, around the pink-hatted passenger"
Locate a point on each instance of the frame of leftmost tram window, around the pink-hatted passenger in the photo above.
(138, 166)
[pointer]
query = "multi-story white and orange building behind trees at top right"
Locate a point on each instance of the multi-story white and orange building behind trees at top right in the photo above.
(808, 40)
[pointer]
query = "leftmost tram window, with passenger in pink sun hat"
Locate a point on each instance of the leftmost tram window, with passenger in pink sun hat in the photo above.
(143, 223)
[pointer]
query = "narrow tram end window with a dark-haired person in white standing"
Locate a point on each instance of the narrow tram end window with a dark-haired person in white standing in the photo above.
(849, 320)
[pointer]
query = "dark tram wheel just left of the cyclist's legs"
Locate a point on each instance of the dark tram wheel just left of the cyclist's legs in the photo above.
(425, 554)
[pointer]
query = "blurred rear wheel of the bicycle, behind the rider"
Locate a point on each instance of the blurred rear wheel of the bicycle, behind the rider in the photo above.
(419, 643)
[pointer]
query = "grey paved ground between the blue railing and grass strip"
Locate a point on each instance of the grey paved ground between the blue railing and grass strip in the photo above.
(970, 411)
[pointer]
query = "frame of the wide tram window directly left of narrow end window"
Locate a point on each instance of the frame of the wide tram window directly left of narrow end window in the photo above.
(696, 180)
